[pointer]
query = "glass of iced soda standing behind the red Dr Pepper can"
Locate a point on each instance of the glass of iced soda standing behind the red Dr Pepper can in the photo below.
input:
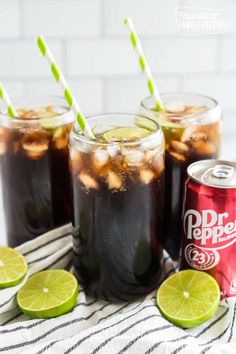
(192, 128)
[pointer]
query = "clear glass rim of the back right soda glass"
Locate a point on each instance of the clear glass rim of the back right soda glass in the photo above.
(216, 106)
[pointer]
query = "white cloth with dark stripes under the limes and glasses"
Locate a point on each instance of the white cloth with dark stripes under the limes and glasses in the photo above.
(102, 327)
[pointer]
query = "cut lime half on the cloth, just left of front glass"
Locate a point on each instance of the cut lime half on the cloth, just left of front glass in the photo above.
(48, 294)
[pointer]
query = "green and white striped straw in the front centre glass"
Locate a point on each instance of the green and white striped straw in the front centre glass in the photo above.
(60, 79)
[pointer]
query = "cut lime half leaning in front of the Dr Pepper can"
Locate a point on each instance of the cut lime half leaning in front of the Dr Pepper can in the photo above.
(188, 298)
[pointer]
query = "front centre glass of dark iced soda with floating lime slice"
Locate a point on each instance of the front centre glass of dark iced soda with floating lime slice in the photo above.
(118, 197)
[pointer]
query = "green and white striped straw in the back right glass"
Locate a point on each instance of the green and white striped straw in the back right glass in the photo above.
(144, 64)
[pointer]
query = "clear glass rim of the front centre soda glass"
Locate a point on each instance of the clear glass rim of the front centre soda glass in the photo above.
(82, 138)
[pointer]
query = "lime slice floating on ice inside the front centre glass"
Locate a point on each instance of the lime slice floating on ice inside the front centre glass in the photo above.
(125, 133)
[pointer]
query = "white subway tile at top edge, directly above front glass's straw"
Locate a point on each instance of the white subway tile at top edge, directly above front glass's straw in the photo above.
(61, 18)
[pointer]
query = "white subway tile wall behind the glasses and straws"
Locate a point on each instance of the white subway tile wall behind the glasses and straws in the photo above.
(92, 46)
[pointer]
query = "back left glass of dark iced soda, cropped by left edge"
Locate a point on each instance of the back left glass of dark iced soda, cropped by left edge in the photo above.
(34, 167)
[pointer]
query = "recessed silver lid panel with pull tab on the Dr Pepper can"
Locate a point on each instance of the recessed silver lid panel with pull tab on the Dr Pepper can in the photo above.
(220, 175)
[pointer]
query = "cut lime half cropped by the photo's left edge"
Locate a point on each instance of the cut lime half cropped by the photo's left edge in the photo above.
(13, 267)
